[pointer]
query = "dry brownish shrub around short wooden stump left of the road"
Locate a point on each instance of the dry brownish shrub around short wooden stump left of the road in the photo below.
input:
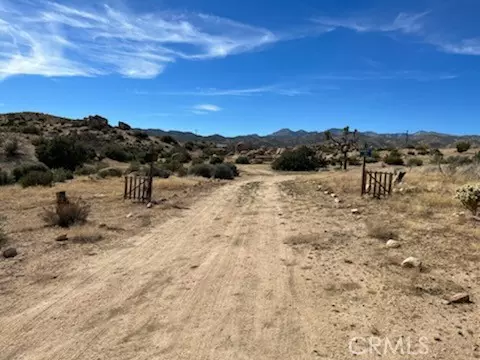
(66, 215)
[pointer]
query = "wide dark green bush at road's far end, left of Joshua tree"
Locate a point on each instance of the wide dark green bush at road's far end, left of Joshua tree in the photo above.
(301, 159)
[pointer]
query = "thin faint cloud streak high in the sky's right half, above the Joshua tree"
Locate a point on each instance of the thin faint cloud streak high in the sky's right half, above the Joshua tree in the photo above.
(403, 22)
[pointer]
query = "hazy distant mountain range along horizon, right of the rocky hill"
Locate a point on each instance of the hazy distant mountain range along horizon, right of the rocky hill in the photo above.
(287, 137)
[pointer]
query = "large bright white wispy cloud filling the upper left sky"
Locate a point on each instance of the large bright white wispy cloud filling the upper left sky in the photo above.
(52, 39)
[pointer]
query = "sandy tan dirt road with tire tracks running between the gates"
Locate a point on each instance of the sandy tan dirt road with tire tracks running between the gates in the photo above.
(249, 272)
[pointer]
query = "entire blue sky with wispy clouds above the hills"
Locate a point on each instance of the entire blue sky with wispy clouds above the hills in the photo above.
(243, 66)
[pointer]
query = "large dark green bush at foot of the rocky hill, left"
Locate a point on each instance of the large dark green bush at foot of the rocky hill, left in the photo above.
(63, 152)
